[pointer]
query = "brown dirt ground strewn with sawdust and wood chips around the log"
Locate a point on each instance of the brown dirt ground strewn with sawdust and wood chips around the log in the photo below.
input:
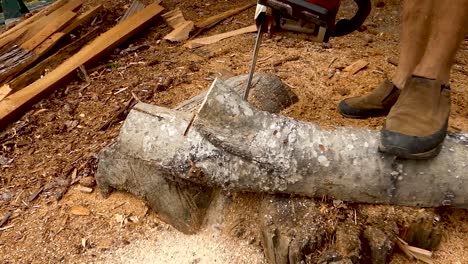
(61, 136)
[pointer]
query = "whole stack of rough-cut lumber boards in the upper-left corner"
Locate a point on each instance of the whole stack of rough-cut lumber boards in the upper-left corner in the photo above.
(22, 50)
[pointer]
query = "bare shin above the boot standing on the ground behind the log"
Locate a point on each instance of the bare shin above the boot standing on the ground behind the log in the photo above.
(413, 38)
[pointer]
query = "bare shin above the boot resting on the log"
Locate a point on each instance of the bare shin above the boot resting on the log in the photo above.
(448, 26)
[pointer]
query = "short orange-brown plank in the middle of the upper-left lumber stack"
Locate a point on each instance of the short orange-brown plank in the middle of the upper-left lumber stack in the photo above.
(56, 25)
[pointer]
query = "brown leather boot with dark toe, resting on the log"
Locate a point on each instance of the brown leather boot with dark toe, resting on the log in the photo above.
(417, 124)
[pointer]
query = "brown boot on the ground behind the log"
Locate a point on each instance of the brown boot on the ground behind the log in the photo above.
(377, 103)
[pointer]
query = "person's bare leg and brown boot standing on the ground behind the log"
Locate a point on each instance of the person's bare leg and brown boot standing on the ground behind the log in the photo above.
(413, 38)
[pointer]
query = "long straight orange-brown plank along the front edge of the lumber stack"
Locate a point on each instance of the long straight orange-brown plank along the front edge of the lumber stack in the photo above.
(13, 105)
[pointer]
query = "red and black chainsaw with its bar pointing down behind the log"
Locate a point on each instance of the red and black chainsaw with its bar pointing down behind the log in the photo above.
(312, 20)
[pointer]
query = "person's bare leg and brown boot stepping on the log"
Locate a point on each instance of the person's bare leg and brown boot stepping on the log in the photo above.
(417, 124)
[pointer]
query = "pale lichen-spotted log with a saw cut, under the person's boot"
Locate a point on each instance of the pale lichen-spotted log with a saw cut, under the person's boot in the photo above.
(234, 146)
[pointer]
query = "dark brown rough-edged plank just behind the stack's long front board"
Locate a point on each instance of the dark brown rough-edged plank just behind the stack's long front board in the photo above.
(52, 61)
